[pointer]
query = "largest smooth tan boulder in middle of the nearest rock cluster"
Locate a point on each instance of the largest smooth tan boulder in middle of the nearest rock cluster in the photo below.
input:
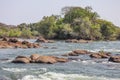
(46, 59)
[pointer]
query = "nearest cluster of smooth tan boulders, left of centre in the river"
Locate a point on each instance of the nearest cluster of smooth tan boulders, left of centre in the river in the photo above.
(36, 58)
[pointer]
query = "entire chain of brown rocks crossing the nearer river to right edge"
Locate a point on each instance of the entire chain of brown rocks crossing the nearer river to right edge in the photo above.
(36, 58)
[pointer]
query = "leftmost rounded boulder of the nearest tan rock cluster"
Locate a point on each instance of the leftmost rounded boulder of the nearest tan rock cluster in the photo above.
(21, 59)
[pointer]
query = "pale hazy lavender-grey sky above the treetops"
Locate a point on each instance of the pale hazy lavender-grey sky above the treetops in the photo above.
(14, 12)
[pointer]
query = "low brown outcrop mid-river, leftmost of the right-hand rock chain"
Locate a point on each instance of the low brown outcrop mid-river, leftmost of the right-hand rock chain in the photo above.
(77, 53)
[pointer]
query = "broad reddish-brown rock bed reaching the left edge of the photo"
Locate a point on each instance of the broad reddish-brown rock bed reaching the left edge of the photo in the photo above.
(15, 43)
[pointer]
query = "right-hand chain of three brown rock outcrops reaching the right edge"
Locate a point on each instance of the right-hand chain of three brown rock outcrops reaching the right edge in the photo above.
(98, 55)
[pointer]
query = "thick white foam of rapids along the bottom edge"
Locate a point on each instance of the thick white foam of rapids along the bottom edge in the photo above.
(60, 76)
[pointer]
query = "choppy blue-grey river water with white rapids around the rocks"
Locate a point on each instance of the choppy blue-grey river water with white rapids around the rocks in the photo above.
(88, 69)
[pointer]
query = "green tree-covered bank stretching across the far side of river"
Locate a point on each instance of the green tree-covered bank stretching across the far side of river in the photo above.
(73, 23)
